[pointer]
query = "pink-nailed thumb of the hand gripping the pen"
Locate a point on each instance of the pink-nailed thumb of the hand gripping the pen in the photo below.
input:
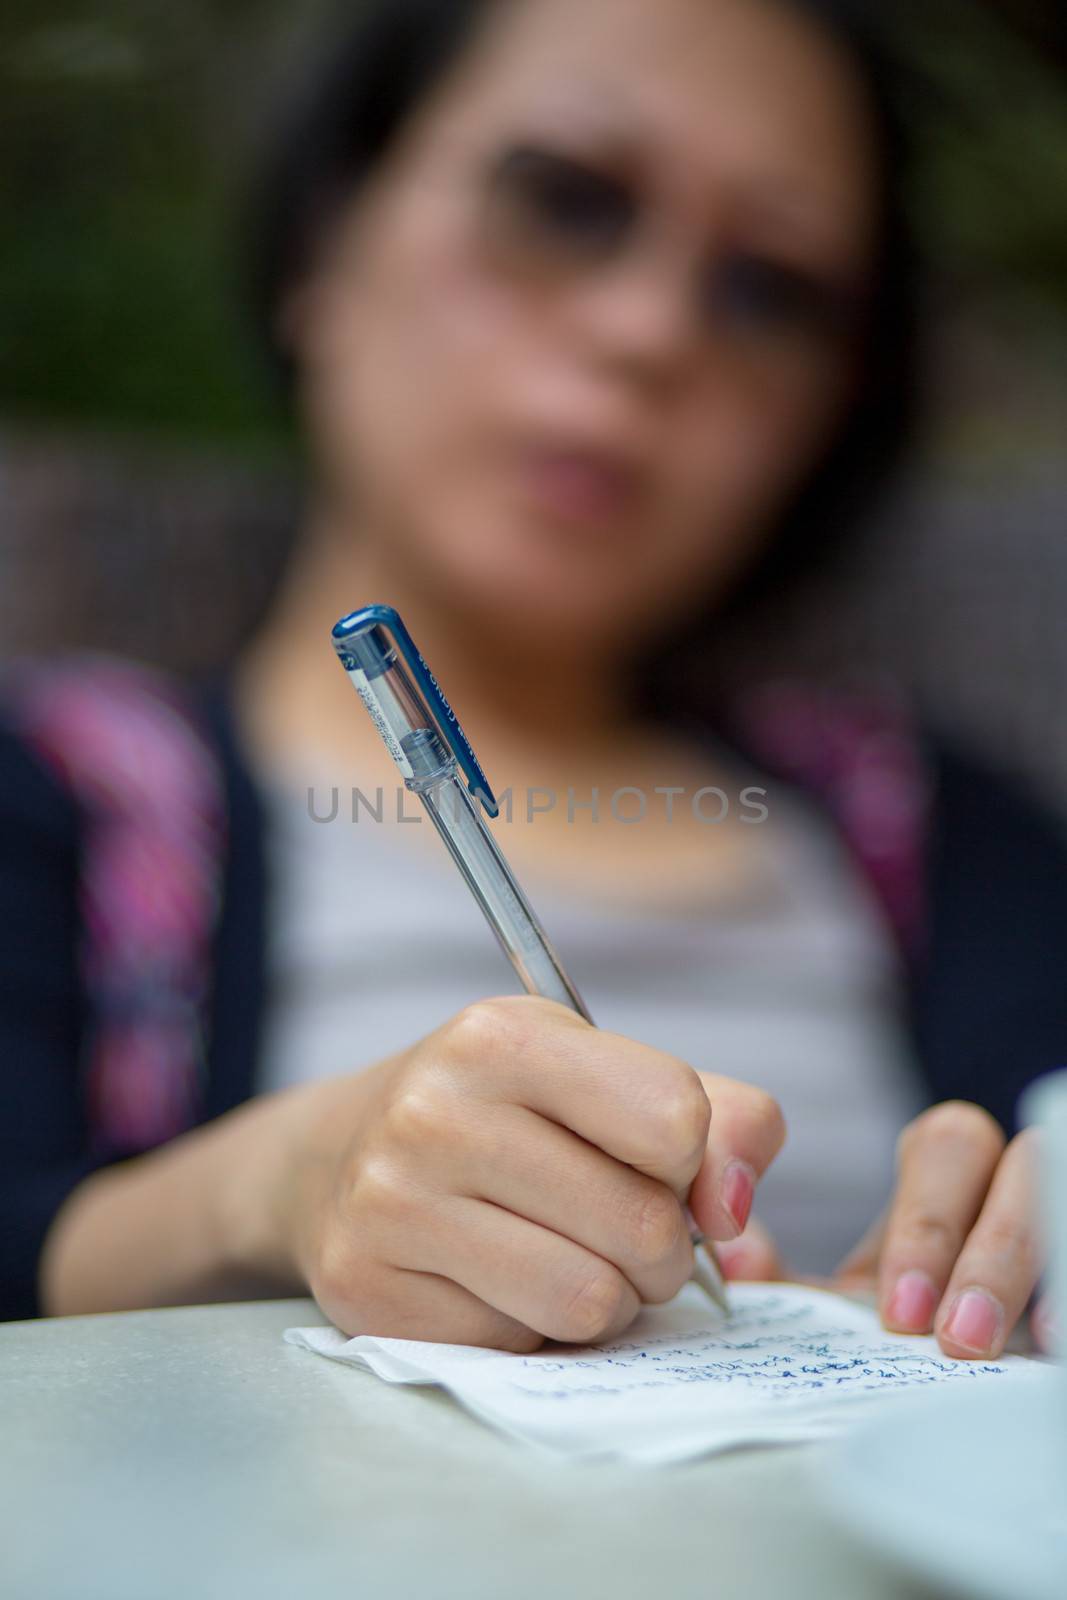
(746, 1134)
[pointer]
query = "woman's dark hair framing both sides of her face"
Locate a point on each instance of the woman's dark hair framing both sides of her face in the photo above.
(378, 70)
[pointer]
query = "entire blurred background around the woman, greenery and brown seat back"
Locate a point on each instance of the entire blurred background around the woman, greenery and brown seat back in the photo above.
(150, 487)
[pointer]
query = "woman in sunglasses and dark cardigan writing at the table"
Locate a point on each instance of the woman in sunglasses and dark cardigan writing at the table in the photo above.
(596, 318)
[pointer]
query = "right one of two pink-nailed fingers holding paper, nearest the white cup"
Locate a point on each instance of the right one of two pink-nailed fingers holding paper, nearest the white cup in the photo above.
(999, 1265)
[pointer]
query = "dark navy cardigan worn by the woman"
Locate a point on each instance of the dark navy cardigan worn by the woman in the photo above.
(988, 998)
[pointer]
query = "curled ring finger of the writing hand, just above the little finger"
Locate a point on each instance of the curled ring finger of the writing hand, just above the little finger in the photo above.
(530, 1274)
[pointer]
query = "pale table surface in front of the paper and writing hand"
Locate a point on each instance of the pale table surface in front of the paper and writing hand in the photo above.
(190, 1455)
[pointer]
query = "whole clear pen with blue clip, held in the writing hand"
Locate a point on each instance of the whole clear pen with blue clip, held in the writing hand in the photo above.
(428, 743)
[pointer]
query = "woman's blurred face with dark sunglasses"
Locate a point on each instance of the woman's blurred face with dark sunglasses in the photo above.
(572, 350)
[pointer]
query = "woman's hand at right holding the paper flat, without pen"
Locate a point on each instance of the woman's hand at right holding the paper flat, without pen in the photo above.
(957, 1250)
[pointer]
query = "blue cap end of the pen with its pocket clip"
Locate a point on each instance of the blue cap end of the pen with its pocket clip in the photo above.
(406, 700)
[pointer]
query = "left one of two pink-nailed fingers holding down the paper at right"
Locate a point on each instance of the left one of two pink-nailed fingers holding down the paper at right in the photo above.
(946, 1161)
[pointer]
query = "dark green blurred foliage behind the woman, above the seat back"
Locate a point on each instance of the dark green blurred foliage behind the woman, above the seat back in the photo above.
(127, 129)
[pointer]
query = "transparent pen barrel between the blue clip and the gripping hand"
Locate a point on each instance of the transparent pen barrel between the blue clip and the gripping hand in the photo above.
(505, 905)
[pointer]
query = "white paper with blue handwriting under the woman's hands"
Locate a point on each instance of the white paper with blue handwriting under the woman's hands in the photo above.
(789, 1364)
